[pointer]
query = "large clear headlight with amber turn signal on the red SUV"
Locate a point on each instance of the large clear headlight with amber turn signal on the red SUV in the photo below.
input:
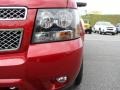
(56, 25)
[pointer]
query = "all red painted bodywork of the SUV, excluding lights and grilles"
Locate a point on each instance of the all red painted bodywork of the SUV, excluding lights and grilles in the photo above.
(36, 66)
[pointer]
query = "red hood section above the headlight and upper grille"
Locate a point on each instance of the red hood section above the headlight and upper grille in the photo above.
(35, 3)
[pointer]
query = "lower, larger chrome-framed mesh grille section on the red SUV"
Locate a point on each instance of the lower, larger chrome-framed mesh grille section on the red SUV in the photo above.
(10, 39)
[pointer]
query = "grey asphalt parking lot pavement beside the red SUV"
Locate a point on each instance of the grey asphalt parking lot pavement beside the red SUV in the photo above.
(101, 63)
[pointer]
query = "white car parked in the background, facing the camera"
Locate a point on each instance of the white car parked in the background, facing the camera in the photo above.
(103, 27)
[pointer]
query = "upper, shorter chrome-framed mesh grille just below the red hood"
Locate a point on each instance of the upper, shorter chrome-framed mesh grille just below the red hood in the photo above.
(13, 13)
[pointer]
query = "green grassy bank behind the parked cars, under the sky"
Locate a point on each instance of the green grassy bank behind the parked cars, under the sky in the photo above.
(114, 19)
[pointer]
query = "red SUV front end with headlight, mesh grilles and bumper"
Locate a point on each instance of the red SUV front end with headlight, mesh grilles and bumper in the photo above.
(41, 44)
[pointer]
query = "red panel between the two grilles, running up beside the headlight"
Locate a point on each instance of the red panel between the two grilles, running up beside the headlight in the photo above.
(27, 25)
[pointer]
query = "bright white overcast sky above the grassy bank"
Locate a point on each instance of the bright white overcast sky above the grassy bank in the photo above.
(104, 6)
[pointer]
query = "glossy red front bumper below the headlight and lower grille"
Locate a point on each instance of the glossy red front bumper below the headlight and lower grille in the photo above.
(38, 68)
